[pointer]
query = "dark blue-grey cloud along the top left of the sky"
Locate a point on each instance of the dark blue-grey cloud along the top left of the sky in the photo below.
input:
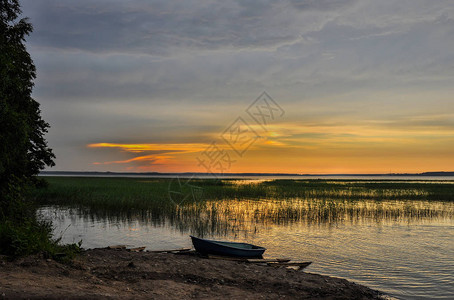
(158, 27)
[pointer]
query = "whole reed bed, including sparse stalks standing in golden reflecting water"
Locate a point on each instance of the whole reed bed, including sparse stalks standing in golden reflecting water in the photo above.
(227, 206)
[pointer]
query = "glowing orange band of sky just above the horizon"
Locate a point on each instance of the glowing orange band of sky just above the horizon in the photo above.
(293, 148)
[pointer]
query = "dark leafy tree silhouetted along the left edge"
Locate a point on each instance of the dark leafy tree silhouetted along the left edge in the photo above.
(23, 148)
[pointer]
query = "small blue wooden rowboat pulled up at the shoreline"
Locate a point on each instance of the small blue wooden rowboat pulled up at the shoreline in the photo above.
(205, 247)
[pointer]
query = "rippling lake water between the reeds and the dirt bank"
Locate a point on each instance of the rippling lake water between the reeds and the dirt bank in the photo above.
(402, 248)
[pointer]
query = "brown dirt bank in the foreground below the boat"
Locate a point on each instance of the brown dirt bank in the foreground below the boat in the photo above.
(119, 274)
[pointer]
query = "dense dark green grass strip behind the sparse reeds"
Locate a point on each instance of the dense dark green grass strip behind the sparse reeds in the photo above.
(126, 194)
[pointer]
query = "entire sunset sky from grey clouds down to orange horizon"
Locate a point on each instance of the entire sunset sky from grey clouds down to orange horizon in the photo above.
(168, 86)
